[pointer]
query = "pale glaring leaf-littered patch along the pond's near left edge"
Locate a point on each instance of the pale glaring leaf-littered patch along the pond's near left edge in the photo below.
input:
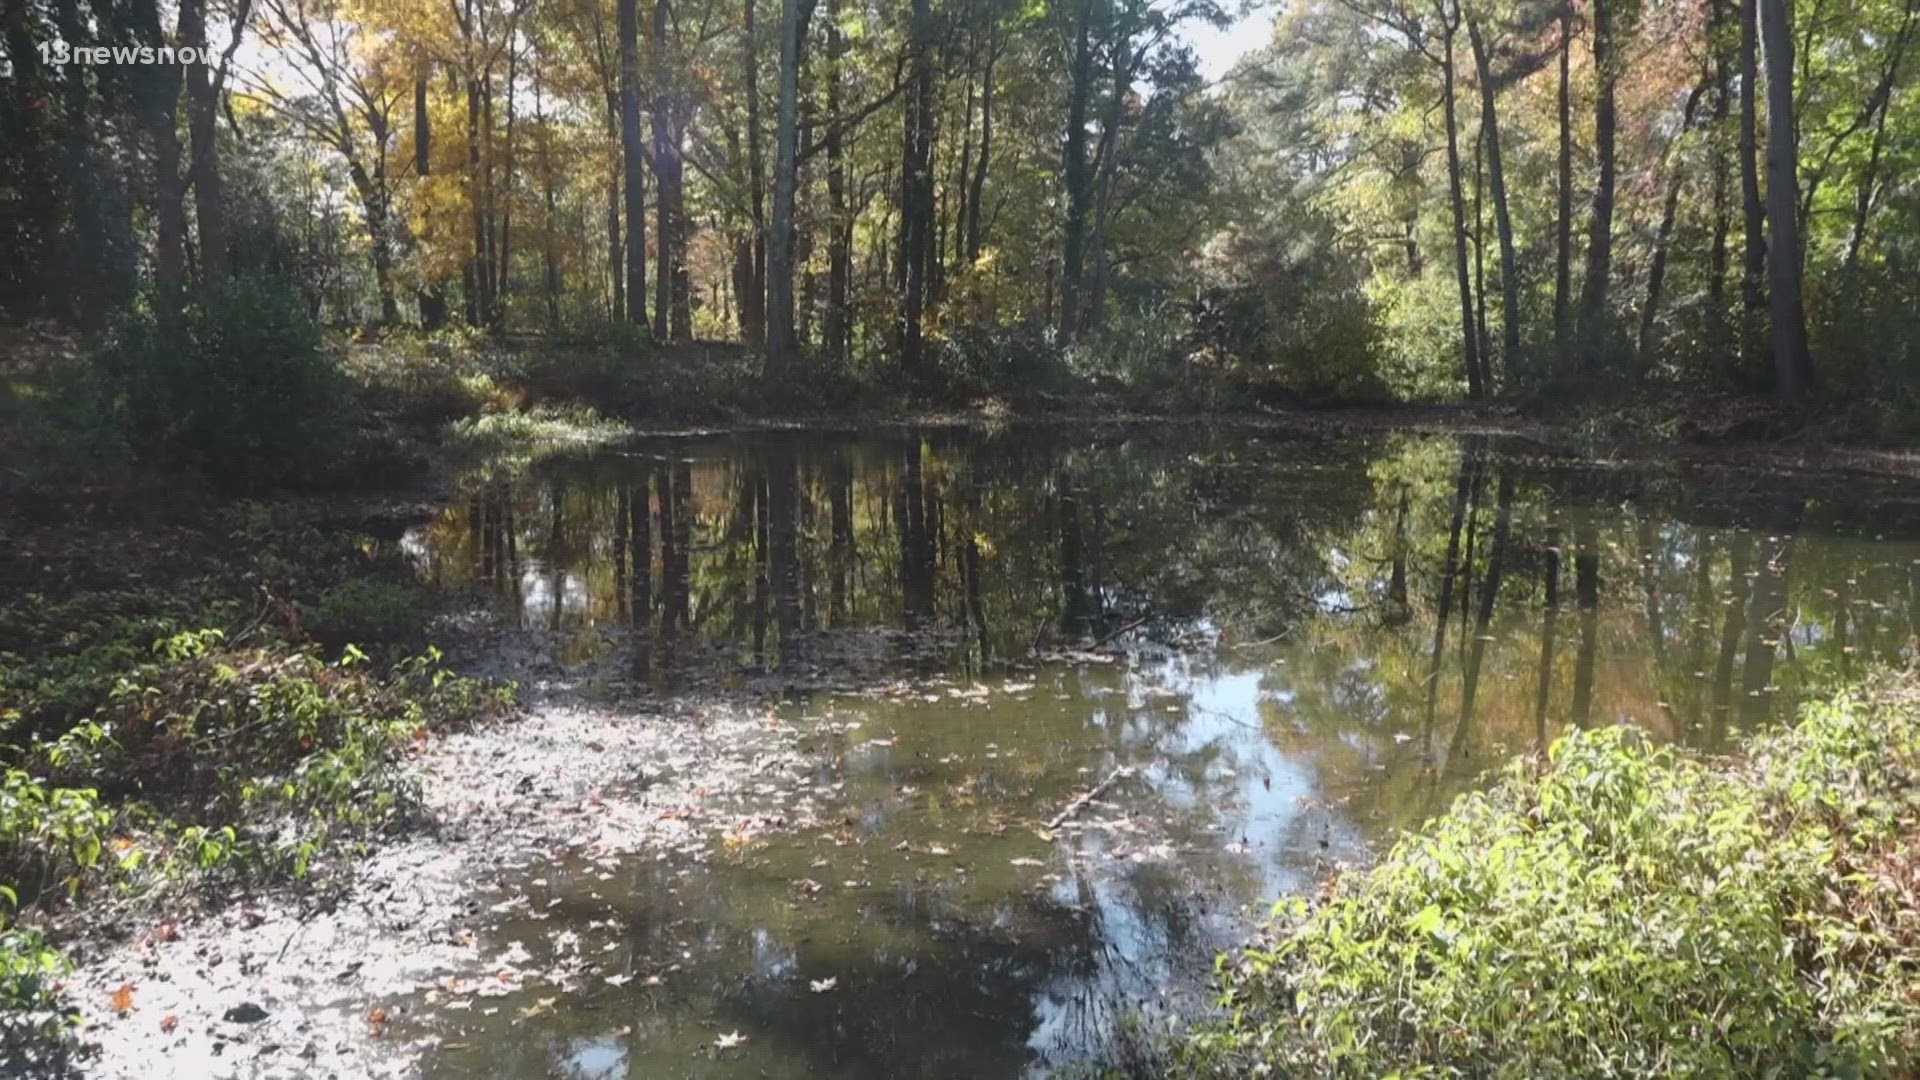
(295, 987)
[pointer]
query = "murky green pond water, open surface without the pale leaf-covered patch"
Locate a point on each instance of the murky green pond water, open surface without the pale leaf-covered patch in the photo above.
(1318, 647)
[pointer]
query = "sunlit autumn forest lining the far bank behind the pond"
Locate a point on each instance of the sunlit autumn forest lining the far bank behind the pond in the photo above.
(1385, 201)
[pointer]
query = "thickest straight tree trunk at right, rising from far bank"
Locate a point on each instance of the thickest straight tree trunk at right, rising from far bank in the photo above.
(1792, 360)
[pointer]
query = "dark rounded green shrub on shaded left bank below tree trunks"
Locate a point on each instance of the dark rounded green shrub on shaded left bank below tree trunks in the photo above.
(237, 389)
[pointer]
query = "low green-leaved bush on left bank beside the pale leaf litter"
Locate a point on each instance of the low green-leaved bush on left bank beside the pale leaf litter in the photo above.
(206, 756)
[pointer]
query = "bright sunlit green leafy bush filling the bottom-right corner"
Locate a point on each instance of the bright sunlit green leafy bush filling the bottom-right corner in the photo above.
(1620, 910)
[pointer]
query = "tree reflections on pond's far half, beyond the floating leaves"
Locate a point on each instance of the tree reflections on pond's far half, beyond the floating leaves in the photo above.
(1541, 595)
